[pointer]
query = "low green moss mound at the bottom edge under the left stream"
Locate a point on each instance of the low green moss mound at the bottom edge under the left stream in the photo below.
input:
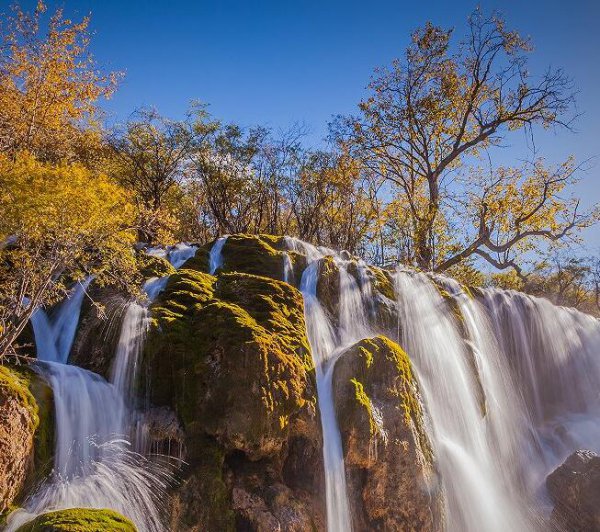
(79, 520)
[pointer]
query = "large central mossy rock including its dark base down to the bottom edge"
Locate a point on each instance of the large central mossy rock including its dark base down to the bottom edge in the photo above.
(230, 355)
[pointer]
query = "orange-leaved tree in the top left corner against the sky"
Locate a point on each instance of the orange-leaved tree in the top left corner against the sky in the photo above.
(49, 87)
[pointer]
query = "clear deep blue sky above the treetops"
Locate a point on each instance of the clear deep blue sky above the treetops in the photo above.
(277, 62)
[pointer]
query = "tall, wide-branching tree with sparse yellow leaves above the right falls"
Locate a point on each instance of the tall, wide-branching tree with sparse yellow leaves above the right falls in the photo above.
(431, 117)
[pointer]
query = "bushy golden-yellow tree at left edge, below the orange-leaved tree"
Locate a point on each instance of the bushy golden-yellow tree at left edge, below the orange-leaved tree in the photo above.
(58, 223)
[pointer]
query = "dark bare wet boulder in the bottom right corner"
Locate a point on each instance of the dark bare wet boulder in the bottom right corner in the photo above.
(575, 489)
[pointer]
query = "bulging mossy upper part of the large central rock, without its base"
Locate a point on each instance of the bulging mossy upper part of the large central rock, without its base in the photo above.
(230, 354)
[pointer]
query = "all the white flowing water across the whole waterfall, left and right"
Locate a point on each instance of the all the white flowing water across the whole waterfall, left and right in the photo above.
(509, 382)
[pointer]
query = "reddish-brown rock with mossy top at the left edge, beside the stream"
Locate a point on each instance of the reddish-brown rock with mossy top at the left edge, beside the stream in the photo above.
(26, 431)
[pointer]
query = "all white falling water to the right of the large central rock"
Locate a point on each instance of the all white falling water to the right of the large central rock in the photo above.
(510, 385)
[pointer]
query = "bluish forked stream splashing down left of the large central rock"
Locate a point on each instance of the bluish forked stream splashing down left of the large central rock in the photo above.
(94, 464)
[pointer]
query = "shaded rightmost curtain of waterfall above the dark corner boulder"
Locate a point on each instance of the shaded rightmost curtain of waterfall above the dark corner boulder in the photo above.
(553, 356)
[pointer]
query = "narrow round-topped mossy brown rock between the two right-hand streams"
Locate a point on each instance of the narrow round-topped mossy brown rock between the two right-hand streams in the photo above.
(388, 456)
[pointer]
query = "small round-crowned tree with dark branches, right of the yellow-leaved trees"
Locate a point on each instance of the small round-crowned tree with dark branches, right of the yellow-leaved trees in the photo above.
(151, 156)
